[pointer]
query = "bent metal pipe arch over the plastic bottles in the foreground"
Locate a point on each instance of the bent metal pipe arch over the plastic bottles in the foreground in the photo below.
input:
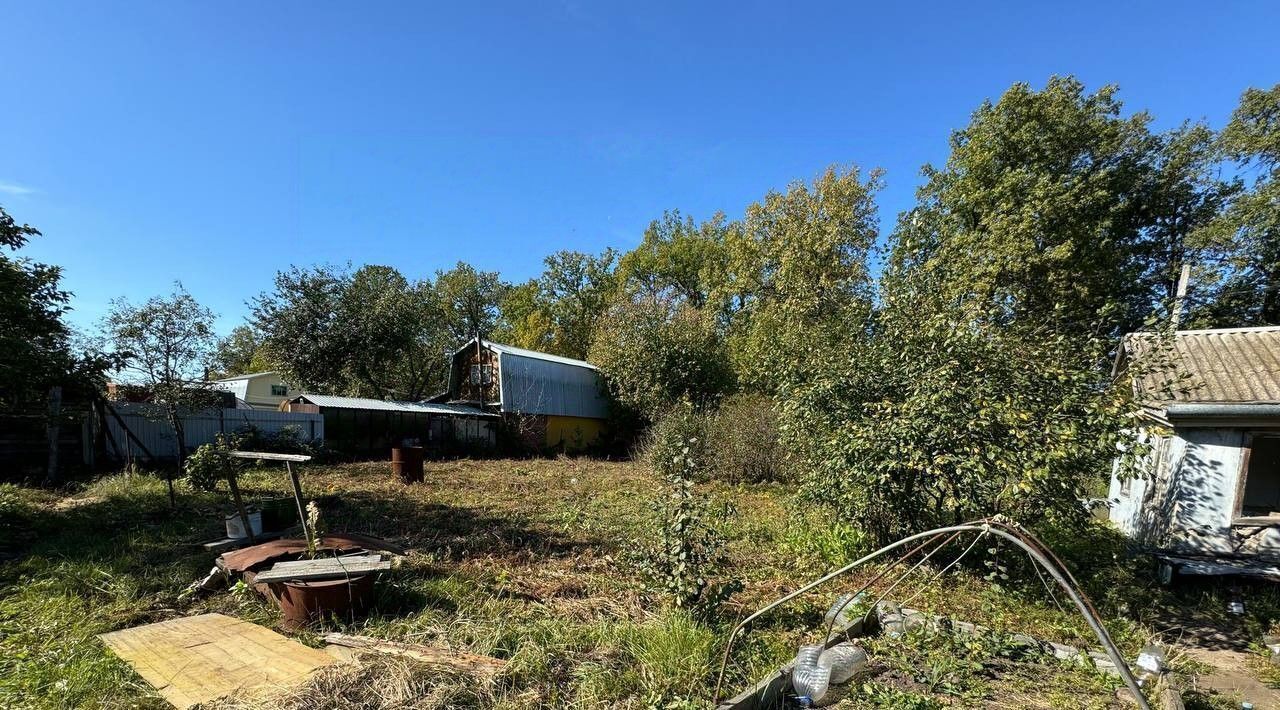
(1025, 540)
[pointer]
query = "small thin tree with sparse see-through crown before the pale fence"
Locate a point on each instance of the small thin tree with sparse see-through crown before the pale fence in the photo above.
(168, 342)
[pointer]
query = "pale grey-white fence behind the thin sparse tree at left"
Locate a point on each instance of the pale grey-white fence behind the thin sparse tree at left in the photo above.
(149, 427)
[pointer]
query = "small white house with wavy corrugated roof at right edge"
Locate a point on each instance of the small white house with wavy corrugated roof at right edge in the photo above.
(1209, 498)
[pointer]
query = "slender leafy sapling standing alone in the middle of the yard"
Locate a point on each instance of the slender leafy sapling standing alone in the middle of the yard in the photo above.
(688, 553)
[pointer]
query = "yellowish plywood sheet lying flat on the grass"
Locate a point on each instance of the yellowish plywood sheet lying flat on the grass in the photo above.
(198, 659)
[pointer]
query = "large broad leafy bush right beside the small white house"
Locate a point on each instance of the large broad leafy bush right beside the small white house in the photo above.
(975, 422)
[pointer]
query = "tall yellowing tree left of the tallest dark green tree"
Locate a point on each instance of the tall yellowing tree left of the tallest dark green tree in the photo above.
(796, 277)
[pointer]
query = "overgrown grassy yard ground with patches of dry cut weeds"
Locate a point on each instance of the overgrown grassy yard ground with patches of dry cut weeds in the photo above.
(533, 562)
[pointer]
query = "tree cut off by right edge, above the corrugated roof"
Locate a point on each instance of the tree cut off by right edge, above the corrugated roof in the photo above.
(1247, 235)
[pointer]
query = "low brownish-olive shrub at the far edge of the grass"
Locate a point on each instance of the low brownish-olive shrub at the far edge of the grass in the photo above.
(743, 441)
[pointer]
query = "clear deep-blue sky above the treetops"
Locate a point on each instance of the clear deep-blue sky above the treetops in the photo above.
(220, 143)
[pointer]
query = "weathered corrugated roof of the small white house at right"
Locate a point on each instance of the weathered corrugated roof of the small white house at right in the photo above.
(1226, 365)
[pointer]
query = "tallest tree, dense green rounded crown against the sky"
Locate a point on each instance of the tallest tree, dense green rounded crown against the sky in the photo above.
(1037, 216)
